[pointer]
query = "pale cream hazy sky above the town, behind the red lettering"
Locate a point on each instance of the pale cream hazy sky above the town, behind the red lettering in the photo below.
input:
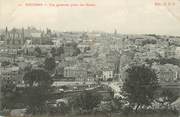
(127, 16)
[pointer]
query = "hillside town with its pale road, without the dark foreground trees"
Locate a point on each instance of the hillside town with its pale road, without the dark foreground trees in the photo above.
(78, 61)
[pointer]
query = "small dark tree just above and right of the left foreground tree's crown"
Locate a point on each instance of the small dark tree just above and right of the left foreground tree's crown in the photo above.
(49, 63)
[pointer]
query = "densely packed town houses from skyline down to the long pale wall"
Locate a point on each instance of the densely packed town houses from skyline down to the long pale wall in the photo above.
(87, 56)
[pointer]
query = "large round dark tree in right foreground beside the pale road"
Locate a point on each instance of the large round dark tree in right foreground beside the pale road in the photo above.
(140, 86)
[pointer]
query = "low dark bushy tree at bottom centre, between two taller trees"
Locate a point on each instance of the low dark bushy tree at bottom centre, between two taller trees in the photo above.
(87, 100)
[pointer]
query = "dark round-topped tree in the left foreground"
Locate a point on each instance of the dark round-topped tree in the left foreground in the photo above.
(38, 87)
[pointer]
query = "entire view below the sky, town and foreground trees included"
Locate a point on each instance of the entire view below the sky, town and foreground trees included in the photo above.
(51, 73)
